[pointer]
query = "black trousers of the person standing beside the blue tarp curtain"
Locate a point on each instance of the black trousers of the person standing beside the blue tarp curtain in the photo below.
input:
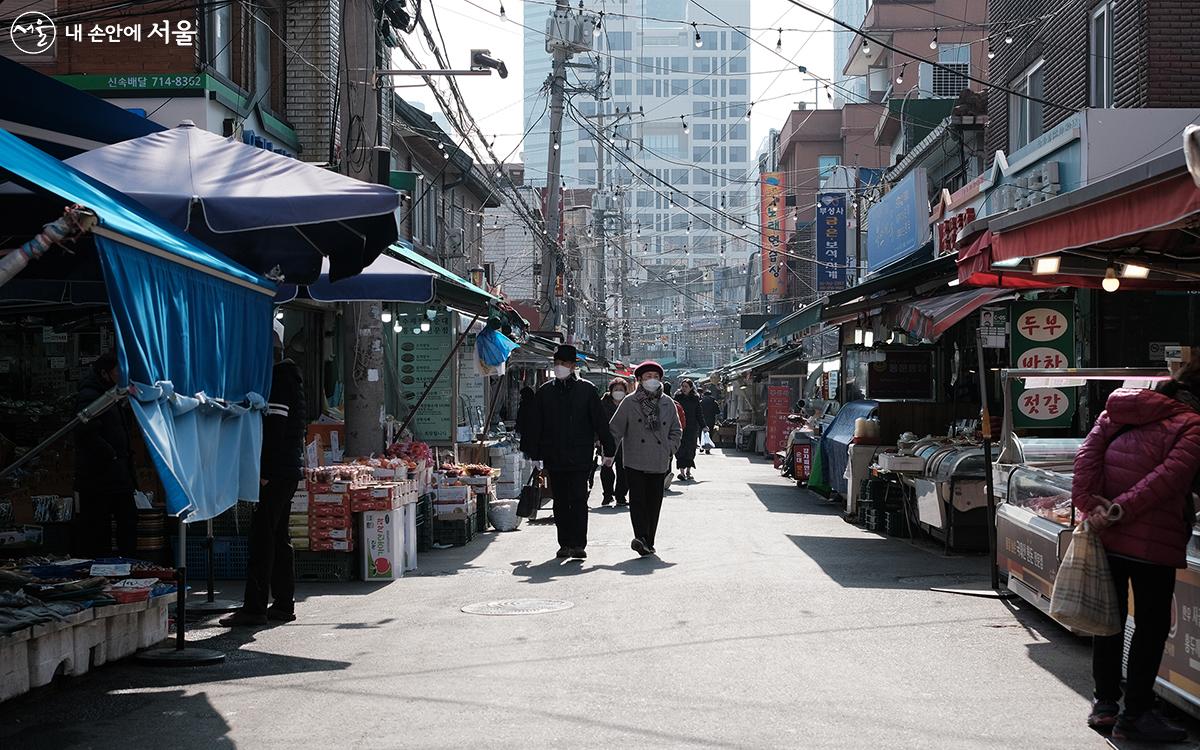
(271, 572)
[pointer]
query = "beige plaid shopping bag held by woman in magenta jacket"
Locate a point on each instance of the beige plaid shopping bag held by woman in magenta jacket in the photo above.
(1084, 598)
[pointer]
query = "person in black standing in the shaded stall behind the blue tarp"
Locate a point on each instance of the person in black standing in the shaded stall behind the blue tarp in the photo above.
(105, 476)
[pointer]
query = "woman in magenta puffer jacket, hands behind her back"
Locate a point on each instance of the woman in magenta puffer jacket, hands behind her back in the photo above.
(1143, 455)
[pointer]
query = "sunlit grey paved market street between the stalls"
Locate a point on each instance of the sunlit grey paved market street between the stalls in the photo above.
(767, 622)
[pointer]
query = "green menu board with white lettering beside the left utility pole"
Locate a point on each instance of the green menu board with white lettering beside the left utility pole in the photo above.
(421, 357)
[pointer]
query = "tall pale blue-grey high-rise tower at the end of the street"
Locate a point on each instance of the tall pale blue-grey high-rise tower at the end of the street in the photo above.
(682, 159)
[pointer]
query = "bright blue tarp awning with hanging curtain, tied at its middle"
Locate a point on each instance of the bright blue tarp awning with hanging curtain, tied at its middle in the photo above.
(195, 338)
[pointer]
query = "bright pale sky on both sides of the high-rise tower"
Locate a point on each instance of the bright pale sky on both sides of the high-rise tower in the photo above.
(496, 104)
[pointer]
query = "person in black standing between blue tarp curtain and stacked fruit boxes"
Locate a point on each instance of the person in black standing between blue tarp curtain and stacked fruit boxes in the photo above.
(271, 572)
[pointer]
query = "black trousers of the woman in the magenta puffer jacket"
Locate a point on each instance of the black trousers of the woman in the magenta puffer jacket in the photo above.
(1154, 586)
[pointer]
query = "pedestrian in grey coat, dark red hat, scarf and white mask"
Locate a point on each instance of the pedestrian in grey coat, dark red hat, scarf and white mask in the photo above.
(647, 427)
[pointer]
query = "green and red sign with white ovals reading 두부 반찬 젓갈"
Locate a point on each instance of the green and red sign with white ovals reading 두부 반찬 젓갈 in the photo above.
(1043, 338)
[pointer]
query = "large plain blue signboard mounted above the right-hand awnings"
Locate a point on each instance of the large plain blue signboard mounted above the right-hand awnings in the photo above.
(899, 224)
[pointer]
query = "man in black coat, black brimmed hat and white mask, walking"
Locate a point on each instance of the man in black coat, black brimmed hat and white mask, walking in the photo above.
(565, 424)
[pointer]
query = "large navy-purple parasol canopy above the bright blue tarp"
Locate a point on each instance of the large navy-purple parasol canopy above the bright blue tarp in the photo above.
(271, 213)
